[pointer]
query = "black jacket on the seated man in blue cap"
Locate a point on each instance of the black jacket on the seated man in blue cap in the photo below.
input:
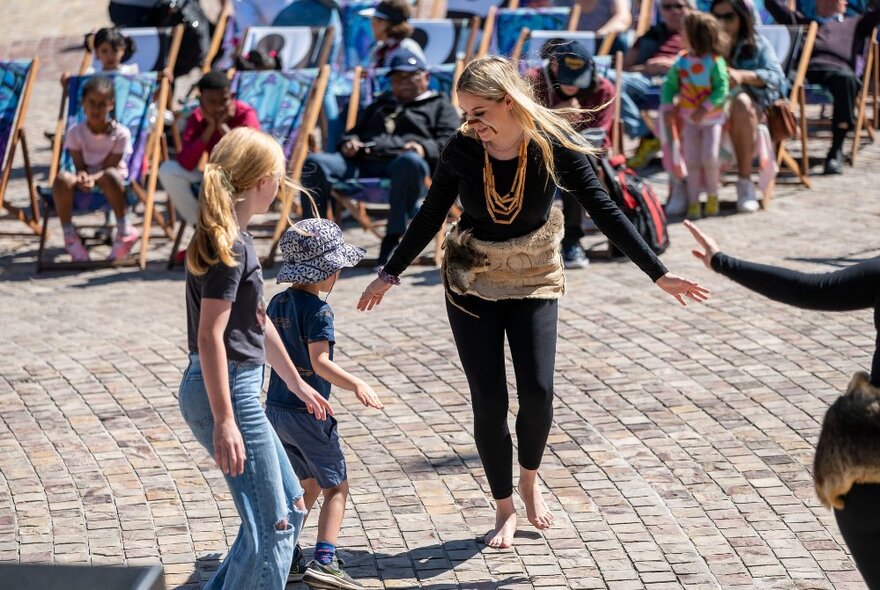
(430, 122)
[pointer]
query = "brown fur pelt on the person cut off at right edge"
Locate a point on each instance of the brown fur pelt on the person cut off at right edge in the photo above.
(848, 451)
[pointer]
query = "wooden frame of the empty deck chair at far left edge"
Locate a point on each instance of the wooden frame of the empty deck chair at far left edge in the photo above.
(17, 136)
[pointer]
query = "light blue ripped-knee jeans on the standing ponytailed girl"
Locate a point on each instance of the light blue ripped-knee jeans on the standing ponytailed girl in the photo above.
(264, 494)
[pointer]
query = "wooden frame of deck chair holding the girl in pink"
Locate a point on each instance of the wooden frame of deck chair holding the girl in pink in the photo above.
(145, 194)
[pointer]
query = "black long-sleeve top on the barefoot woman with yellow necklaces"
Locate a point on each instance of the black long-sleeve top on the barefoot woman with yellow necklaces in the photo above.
(460, 173)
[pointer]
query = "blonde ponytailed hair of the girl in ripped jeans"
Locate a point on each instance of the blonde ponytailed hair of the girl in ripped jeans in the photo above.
(237, 163)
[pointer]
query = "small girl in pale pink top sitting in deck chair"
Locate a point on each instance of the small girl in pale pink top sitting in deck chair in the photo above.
(99, 148)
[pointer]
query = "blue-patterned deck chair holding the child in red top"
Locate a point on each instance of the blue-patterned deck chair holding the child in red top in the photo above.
(287, 105)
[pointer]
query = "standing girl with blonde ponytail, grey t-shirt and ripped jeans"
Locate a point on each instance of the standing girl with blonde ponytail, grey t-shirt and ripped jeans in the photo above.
(229, 342)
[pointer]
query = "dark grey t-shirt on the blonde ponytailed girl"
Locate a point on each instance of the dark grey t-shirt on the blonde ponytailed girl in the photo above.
(243, 286)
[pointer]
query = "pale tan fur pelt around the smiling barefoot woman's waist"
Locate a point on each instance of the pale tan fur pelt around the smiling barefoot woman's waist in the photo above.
(527, 267)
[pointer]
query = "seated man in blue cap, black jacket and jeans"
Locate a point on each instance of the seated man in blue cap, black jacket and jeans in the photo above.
(398, 136)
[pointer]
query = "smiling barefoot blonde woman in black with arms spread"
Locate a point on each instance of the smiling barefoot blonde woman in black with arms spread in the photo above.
(502, 267)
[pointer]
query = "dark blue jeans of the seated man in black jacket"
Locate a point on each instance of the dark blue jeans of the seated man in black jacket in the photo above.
(407, 173)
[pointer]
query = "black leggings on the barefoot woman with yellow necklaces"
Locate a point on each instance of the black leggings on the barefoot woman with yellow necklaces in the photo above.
(530, 325)
